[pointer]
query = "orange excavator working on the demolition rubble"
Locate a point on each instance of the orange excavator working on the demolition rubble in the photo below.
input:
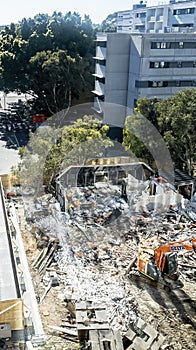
(161, 262)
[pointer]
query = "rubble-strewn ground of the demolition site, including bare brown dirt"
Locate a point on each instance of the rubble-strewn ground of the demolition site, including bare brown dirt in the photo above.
(97, 242)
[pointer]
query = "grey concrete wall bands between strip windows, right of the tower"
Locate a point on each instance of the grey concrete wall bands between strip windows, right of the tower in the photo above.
(166, 55)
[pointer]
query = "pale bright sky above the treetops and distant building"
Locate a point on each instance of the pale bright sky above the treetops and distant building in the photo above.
(15, 10)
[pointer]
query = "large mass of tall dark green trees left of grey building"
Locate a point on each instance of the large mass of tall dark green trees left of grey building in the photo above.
(49, 57)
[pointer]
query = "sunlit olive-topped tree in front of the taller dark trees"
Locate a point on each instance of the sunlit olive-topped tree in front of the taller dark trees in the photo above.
(53, 78)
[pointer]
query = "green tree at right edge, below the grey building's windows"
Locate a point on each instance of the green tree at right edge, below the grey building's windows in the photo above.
(177, 123)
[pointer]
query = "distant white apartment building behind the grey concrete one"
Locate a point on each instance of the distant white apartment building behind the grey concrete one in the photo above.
(174, 16)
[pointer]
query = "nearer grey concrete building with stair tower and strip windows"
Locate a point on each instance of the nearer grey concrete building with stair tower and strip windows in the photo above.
(129, 66)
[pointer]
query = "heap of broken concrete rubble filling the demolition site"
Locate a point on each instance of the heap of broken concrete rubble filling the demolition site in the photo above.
(91, 244)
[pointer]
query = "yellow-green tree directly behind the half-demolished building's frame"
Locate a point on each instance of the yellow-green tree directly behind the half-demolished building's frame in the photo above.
(52, 149)
